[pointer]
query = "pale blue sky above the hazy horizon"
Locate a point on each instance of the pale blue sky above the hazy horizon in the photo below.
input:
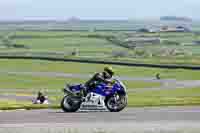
(97, 9)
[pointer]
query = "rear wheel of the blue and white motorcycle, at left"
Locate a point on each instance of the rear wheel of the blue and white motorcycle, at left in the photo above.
(70, 103)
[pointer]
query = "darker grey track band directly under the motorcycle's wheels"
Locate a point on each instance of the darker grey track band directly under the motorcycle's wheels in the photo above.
(128, 115)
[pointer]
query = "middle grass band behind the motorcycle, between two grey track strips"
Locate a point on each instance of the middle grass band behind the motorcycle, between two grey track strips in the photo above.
(43, 82)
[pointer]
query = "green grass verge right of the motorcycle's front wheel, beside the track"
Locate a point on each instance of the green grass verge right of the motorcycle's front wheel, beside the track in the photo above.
(177, 97)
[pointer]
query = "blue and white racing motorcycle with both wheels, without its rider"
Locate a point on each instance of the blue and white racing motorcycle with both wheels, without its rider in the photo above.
(112, 98)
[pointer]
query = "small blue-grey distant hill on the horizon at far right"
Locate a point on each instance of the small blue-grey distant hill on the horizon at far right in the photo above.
(175, 18)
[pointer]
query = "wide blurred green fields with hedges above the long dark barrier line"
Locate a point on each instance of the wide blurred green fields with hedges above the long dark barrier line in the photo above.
(95, 45)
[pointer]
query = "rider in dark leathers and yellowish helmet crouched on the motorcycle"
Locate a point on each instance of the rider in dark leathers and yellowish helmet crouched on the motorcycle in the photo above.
(105, 77)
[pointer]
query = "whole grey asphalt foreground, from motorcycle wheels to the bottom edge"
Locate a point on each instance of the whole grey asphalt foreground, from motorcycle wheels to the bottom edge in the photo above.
(151, 120)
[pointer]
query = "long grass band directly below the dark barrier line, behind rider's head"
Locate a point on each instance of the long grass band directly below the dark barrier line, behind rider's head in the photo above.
(84, 68)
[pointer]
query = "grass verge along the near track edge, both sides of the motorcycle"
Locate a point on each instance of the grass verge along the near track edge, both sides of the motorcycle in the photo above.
(178, 97)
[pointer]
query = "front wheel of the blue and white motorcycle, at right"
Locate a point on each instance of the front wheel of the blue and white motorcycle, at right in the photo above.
(114, 106)
